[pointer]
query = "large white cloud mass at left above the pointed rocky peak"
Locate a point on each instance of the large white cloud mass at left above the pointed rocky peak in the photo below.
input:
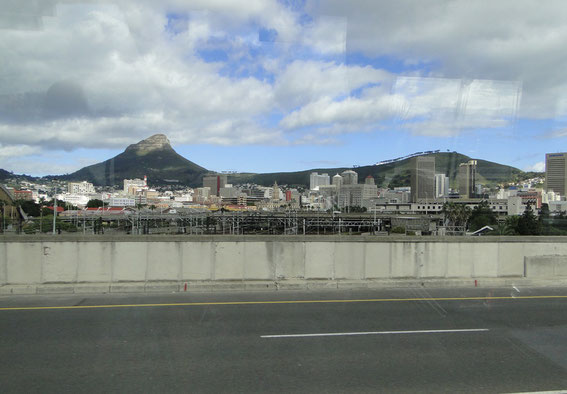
(137, 81)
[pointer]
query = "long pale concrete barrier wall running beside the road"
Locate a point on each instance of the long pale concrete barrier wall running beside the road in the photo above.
(102, 260)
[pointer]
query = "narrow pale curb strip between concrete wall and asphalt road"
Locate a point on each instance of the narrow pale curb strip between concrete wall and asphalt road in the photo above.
(228, 286)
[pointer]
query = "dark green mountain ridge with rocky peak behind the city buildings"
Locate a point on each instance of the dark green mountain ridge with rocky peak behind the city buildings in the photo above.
(155, 158)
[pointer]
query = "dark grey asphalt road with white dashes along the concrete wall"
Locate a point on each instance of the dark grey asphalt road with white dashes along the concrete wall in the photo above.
(203, 344)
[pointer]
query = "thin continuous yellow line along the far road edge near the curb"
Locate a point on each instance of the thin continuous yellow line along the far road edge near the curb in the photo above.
(24, 308)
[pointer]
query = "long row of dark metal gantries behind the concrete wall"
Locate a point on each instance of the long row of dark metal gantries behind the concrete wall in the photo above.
(291, 222)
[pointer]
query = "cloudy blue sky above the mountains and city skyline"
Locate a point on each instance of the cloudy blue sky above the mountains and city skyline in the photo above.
(265, 86)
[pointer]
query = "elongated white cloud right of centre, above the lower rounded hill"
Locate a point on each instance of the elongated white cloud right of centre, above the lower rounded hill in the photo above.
(426, 106)
